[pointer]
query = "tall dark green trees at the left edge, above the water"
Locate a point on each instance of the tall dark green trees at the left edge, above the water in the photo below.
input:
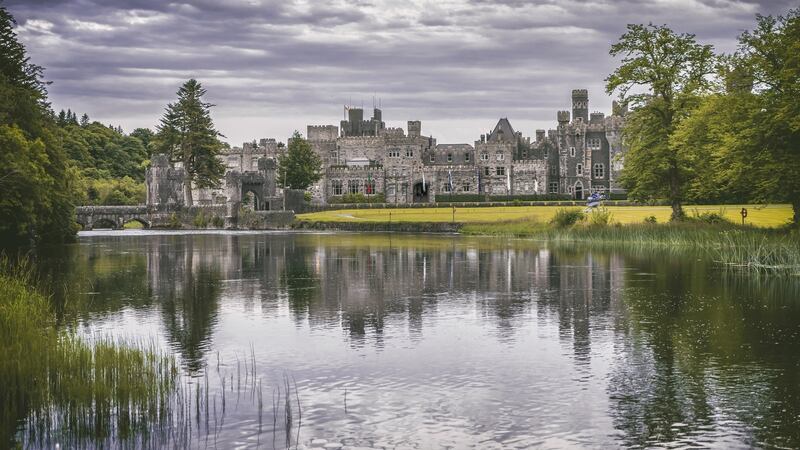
(36, 182)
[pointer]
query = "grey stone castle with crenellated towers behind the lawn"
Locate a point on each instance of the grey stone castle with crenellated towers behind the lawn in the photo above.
(582, 155)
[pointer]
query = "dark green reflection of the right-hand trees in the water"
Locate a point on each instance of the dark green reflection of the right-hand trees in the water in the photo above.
(698, 353)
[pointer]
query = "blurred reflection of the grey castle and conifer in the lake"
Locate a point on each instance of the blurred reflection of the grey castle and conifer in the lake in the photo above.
(361, 285)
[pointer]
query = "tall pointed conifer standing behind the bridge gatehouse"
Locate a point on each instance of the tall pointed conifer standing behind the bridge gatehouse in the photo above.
(187, 134)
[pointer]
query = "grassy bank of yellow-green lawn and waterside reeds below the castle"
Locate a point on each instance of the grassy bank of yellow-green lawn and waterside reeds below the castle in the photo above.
(760, 245)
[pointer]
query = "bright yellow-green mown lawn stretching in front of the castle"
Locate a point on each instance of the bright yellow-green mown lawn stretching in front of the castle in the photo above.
(759, 215)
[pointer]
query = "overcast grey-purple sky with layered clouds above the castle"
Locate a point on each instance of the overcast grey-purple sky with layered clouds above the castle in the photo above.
(275, 66)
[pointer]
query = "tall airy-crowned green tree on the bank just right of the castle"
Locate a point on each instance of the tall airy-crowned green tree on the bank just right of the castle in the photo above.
(662, 76)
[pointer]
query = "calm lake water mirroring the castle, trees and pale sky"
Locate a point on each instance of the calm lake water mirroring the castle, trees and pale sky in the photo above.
(401, 341)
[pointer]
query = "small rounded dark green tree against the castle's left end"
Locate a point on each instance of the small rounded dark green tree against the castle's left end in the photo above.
(299, 167)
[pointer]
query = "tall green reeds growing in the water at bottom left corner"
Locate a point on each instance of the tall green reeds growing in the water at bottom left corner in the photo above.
(59, 388)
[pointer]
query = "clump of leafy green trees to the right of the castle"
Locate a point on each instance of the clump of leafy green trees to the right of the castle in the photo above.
(707, 127)
